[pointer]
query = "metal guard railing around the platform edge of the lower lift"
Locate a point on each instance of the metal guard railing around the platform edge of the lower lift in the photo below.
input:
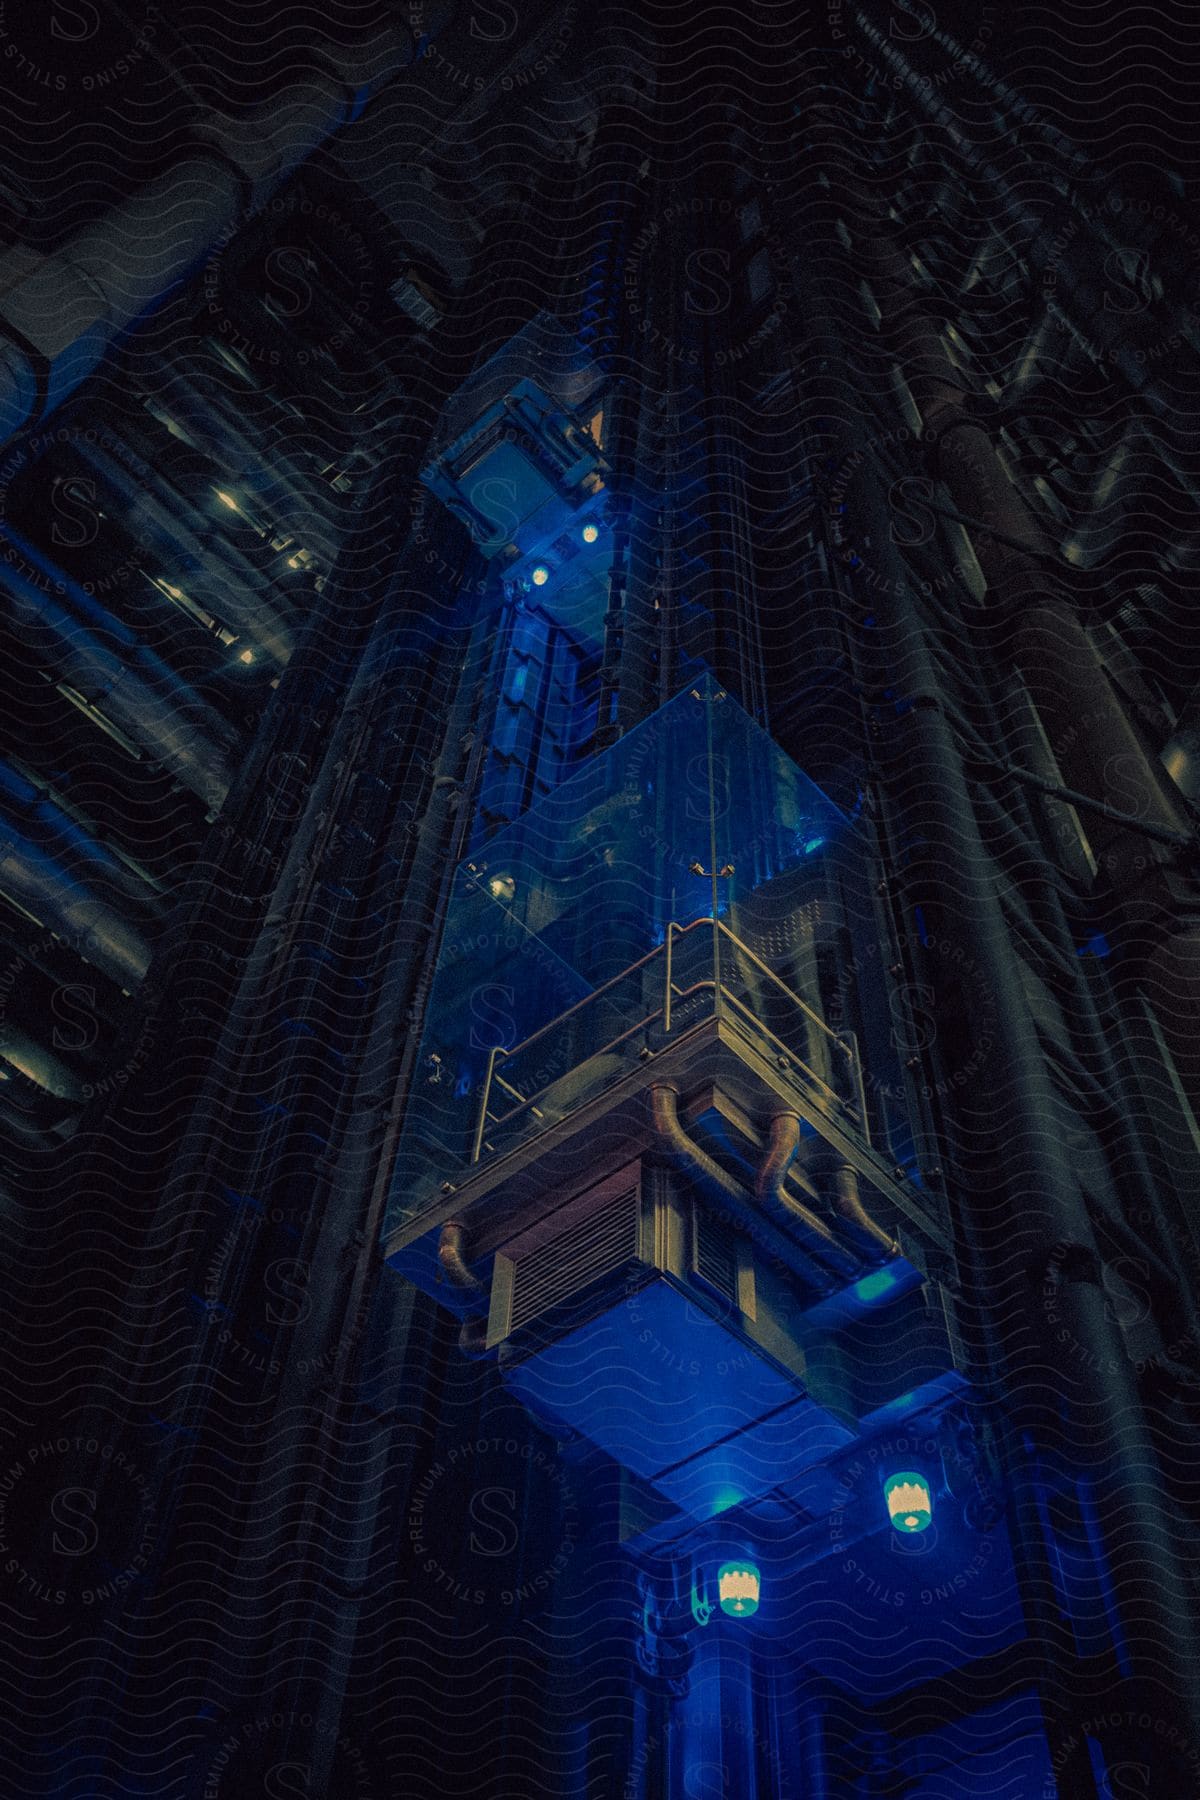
(667, 1016)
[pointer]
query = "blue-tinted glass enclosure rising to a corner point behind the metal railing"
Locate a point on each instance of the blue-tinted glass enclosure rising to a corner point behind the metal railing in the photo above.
(697, 813)
